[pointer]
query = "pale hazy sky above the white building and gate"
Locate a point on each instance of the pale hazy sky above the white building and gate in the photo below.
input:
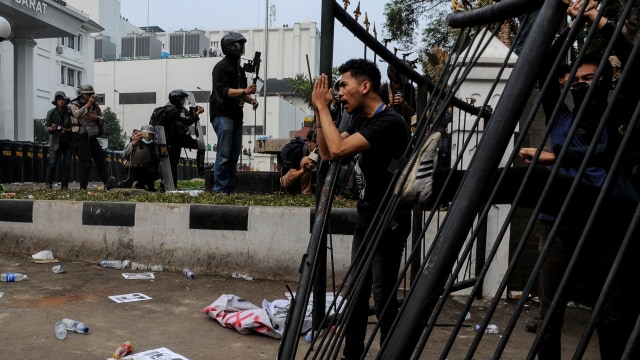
(173, 15)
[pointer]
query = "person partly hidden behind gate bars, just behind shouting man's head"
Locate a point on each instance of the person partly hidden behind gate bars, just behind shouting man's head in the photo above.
(399, 94)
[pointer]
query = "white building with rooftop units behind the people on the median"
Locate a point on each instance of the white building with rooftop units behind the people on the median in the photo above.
(57, 45)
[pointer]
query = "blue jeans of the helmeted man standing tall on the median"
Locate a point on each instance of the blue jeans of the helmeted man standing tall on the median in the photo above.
(229, 132)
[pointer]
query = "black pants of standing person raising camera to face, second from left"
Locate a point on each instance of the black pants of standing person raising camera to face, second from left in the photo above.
(87, 149)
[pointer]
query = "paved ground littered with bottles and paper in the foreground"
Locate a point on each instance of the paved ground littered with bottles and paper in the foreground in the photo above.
(171, 319)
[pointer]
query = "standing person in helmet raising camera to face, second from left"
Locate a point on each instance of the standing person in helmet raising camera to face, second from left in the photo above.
(87, 124)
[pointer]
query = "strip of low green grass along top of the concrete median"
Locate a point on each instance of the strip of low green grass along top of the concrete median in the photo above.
(40, 192)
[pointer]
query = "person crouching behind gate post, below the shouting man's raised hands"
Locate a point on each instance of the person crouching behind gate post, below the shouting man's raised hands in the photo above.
(301, 163)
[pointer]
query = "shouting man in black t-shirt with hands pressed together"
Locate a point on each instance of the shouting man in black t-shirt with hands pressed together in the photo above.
(376, 136)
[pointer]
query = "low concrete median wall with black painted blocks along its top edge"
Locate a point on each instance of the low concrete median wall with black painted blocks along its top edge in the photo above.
(265, 242)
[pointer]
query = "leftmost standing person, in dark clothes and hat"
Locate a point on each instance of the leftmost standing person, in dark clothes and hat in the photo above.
(58, 123)
